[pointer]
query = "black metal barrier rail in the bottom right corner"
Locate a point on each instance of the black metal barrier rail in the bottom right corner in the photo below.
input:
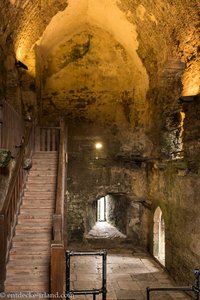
(194, 288)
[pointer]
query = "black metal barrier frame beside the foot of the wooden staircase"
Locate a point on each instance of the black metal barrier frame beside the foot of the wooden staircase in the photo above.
(93, 292)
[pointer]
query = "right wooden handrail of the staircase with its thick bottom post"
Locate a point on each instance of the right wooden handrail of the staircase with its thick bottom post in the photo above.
(57, 246)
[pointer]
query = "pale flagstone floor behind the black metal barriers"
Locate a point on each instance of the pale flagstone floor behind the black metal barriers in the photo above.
(129, 272)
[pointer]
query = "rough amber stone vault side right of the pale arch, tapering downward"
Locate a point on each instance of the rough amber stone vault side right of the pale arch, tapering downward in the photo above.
(167, 31)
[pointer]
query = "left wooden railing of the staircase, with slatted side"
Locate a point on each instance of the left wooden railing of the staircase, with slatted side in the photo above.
(11, 205)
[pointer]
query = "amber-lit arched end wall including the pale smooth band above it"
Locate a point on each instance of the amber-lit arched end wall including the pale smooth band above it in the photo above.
(91, 62)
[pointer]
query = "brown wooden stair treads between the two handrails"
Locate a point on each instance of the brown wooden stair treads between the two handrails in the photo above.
(29, 259)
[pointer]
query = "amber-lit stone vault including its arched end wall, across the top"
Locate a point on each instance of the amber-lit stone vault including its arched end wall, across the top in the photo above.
(116, 63)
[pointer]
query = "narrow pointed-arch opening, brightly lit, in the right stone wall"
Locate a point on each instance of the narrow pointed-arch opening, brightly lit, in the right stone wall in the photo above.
(159, 236)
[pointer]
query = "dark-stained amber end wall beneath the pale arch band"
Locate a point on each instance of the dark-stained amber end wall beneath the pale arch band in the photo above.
(82, 79)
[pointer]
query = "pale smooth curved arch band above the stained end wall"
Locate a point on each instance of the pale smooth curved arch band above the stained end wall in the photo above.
(104, 15)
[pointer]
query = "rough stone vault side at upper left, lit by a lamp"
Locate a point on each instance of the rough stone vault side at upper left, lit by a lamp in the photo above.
(21, 25)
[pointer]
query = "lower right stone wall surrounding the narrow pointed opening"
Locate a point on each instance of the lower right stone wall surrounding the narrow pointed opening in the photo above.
(174, 186)
